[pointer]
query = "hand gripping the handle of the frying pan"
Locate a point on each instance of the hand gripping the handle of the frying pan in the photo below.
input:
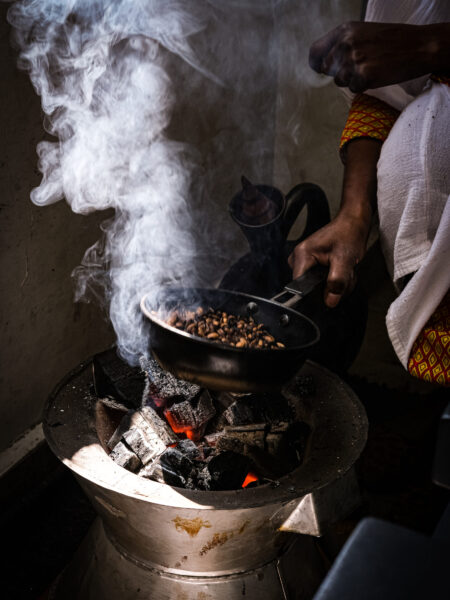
(340, 245)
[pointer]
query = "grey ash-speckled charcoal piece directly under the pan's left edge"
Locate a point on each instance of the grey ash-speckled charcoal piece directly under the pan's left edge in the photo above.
(164, 384)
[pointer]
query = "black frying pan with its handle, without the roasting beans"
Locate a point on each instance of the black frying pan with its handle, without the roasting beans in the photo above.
(222, 367)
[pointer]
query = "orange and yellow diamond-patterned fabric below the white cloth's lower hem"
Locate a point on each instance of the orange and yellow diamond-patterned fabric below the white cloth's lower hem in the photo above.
(430, 354)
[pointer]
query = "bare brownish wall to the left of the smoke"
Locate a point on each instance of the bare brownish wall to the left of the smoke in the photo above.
(43, 333)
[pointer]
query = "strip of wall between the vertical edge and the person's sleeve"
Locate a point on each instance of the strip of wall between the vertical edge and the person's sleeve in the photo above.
(311, 110)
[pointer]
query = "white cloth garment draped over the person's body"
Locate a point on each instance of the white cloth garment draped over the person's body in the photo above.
(414, 185)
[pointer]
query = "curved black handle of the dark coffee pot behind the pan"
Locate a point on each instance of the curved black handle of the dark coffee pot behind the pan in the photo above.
(314, 198)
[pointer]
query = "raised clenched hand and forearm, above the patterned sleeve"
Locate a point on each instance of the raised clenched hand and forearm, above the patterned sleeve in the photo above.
(371, 55)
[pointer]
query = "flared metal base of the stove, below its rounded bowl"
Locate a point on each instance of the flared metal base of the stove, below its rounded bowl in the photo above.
(101, 571)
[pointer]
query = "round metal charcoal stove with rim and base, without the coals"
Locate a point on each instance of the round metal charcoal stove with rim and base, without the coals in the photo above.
(190, 538)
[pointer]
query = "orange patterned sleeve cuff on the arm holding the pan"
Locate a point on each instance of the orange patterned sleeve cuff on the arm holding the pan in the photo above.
(368, 117)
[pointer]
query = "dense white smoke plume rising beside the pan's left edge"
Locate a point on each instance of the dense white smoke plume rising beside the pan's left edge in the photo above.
(101, 69)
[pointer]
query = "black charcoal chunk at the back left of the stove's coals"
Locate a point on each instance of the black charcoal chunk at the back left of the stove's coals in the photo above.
(114, 378)
